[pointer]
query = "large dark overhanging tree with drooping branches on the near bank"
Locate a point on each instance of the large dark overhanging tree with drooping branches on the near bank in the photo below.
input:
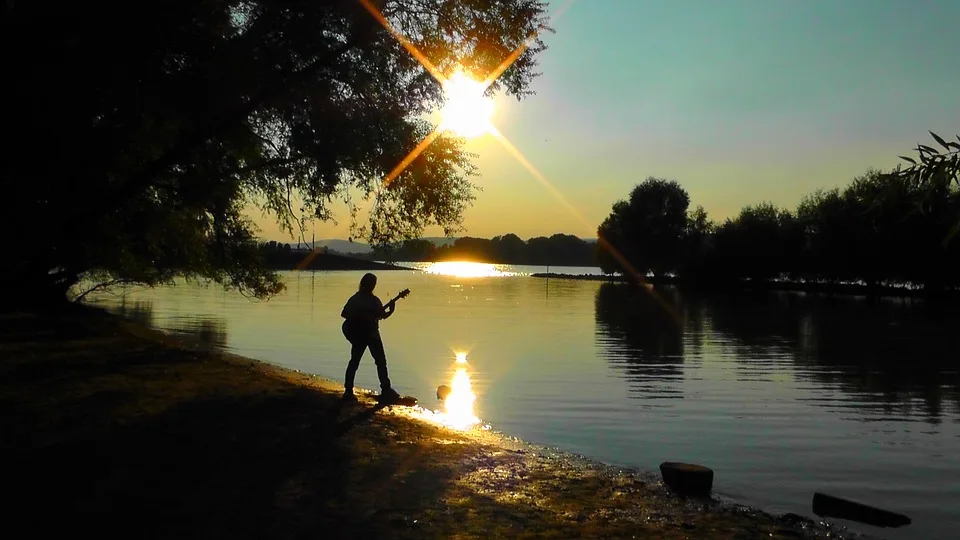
(155, 131)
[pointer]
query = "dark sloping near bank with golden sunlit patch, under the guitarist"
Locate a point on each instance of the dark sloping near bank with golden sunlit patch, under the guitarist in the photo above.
(113, 428)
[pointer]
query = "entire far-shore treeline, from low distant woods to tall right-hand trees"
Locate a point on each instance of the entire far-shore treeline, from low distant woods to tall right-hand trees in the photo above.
(881, 230)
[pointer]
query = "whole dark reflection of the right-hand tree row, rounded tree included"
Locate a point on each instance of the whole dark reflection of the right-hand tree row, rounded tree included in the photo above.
(896, 355)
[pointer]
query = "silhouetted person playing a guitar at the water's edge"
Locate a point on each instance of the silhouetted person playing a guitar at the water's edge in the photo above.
(363, 312)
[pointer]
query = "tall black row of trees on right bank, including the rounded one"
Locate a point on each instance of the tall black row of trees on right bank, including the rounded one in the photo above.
(885, 227)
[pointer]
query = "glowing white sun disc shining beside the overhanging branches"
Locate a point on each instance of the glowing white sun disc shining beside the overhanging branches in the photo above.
(467, 111)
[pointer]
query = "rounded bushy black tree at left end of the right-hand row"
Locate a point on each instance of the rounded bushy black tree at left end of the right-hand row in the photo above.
(648, 230)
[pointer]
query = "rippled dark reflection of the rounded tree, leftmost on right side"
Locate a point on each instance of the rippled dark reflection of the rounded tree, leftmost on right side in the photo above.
(641, 338)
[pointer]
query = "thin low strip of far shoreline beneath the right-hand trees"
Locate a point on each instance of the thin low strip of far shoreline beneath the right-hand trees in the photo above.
(747, 286)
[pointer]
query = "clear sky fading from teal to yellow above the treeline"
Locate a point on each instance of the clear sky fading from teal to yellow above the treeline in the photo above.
(740, 101)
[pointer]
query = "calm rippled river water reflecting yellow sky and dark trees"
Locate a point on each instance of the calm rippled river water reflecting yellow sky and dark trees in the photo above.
(782, 394)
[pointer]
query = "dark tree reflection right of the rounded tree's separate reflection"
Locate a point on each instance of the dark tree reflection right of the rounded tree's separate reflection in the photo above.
(892, 353)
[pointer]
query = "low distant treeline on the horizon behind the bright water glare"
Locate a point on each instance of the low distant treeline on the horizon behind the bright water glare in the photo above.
(558, 249)
